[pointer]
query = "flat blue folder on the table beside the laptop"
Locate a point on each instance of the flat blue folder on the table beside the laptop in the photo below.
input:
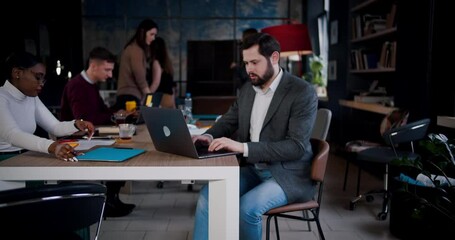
(110, 154)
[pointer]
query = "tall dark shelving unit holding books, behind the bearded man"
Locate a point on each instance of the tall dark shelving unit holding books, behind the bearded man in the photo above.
(373, 48)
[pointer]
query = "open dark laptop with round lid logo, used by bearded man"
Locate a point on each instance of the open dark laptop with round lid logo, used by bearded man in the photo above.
(170, 134)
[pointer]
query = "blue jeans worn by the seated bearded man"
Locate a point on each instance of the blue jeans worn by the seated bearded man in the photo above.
(259, 192)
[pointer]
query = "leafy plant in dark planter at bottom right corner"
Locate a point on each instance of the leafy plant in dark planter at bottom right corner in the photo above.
(423, 196)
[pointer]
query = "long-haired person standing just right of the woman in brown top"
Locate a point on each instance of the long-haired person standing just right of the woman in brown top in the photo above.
(163, 73)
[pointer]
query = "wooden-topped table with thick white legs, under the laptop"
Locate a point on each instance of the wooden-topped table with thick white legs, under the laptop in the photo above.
(222, 174)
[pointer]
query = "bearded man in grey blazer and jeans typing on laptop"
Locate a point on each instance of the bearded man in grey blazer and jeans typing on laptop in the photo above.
(273, 117)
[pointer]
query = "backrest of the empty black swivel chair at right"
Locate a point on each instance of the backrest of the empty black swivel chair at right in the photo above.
(408, 133)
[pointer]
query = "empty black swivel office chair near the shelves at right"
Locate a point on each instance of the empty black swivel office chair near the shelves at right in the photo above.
(395, 139)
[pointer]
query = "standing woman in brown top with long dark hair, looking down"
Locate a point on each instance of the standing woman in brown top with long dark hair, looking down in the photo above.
(132, 83)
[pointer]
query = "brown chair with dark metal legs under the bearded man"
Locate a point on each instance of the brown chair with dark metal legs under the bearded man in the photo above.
(321, 154)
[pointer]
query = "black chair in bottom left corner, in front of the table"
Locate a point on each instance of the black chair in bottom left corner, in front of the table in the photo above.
(52, 211)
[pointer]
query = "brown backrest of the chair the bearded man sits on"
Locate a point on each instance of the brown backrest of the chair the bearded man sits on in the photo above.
(321, 154)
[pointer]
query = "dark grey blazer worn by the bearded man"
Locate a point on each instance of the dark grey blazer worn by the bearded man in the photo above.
(284, 140)
